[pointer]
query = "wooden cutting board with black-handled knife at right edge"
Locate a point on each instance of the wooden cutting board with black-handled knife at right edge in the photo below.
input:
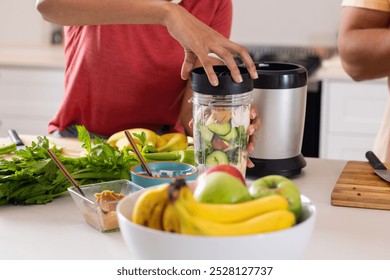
(359, 186)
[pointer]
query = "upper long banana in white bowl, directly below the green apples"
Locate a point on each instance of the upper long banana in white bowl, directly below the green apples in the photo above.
(231, 213)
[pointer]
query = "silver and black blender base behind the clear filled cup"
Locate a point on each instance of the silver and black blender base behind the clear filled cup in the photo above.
(280, 96)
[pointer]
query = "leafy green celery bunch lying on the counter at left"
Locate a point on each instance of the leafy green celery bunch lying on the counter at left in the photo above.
(33, 178)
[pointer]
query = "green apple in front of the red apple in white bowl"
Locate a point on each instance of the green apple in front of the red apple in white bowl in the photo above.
(220, 187)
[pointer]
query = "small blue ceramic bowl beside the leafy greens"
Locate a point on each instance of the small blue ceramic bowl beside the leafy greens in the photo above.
(166, 172)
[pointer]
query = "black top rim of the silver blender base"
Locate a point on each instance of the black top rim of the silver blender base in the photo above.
(280, 75)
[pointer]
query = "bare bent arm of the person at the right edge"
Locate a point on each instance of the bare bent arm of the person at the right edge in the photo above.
(365, 53)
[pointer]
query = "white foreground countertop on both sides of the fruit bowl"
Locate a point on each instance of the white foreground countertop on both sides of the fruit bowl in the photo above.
(57, 231)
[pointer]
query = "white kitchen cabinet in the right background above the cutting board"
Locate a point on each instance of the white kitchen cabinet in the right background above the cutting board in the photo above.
(351, 114)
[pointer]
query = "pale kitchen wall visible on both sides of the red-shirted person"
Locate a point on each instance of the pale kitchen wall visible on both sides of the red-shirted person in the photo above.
(266, 22)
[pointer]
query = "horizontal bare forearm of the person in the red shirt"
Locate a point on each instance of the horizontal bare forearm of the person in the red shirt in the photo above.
(99, 12)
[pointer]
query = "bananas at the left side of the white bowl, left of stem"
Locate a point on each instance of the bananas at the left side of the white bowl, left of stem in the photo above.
(152, 209)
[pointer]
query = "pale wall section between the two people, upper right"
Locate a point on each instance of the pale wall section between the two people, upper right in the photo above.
(286, 22)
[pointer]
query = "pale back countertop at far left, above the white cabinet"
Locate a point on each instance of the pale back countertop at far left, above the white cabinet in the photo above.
(32, 56)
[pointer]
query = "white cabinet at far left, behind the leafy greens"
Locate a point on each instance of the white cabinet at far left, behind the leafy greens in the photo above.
(29, 97)
